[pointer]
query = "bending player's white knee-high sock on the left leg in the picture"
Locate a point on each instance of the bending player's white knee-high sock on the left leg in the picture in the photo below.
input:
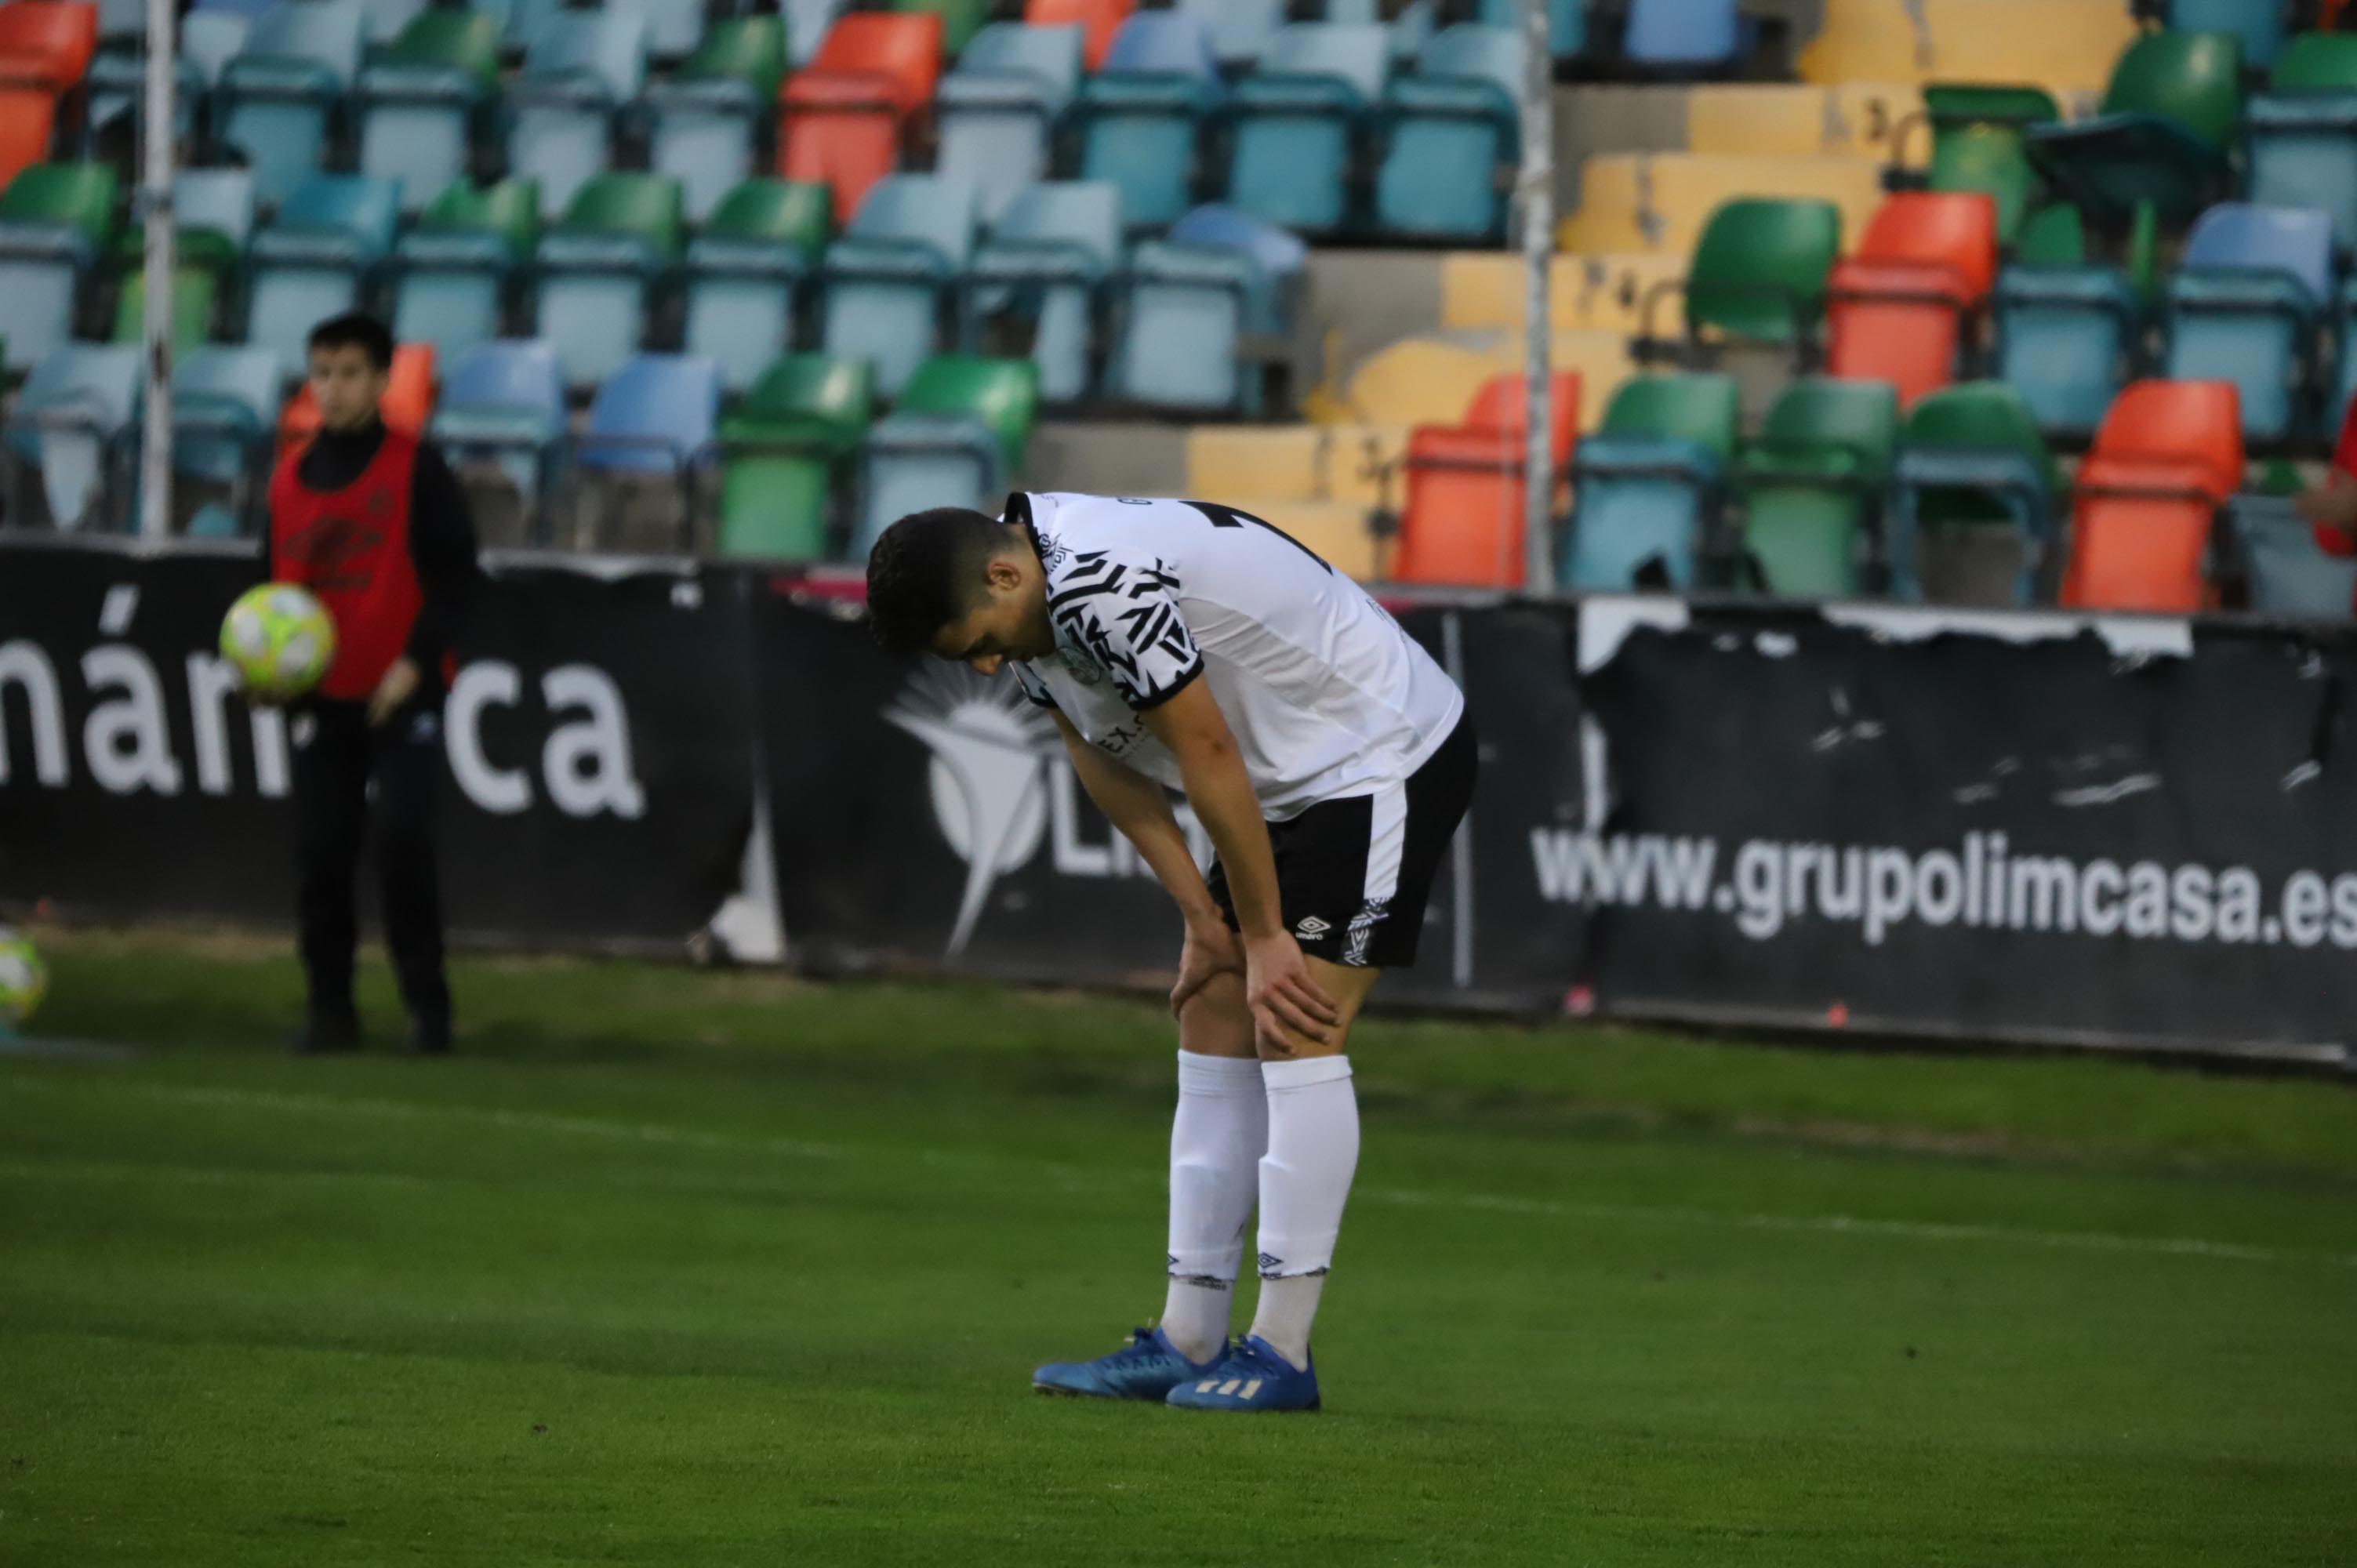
(1217, 1145)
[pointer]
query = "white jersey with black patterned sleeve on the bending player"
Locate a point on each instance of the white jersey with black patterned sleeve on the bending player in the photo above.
(1321, 687)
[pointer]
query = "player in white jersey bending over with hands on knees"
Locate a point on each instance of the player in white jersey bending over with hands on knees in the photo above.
(1191, 647)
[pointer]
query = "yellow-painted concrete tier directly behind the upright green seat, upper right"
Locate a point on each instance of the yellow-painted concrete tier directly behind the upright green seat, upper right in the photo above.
(1661, 202)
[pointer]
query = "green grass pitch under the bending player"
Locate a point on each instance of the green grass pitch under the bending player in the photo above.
(708, 1270)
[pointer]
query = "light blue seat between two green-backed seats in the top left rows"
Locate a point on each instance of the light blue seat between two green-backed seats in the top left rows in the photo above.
(562, 110)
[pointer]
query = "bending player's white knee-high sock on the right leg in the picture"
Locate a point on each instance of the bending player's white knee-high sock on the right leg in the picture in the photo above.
(1305, 1185)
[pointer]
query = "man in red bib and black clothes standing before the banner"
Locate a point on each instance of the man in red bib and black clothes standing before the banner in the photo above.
(374, 522)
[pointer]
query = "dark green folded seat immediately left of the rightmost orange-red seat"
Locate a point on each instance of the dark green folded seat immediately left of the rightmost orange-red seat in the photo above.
(1974, 503)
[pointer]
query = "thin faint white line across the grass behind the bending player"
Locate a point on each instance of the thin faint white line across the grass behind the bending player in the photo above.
(1092, 1178)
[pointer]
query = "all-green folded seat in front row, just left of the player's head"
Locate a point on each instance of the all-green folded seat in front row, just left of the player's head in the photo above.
(781, 449)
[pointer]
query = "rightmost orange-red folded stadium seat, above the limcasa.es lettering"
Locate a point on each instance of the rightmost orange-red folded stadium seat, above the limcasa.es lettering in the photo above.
(2148, 496)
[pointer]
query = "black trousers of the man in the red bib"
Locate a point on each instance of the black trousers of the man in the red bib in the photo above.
(338, 758)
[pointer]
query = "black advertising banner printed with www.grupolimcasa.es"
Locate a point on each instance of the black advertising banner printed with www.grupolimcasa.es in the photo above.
(1998, 826)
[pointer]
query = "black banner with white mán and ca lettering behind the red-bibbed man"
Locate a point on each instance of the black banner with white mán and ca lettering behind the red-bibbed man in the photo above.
(600, 751)
